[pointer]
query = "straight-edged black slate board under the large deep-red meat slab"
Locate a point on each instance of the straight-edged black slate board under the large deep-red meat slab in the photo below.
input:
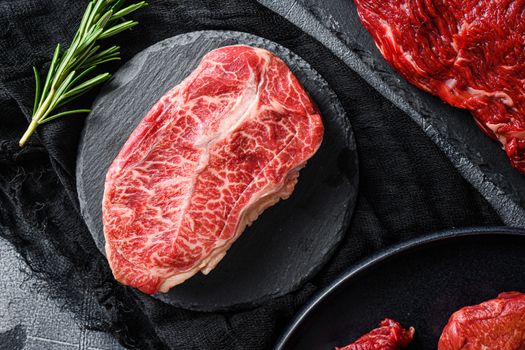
(480, 160)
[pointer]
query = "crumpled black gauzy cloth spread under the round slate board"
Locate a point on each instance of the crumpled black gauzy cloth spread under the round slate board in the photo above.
(408, 187)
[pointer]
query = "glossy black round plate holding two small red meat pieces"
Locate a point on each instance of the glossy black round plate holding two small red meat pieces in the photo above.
(419, 283)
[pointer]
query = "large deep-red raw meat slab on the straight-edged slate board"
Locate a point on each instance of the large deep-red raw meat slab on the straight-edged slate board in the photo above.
(470, 53)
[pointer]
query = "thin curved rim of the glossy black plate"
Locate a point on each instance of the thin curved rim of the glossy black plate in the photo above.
(383, 255)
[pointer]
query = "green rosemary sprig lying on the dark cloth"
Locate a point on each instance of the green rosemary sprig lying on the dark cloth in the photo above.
(68, 75)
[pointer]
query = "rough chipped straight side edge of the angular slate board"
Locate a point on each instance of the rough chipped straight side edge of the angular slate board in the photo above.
(510, 212)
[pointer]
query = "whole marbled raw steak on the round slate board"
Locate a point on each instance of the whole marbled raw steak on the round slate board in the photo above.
(208, 158)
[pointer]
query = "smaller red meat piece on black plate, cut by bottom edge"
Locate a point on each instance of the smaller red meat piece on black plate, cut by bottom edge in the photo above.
(389, 336)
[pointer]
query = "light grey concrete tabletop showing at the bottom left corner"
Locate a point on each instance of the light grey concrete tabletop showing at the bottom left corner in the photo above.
(29, 320)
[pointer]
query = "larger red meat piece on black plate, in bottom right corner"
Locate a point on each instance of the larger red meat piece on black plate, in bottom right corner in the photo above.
(497, 324)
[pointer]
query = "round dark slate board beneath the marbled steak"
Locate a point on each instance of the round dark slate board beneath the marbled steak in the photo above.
(290, 241)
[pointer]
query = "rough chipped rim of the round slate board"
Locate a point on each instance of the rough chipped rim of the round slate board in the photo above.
(354, 182)
